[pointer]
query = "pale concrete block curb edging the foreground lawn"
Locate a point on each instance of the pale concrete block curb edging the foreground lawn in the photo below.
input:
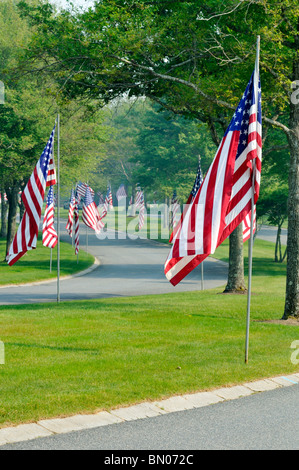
(50, 427)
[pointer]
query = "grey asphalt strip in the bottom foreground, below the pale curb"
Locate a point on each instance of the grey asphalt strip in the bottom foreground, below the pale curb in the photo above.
(262, 421)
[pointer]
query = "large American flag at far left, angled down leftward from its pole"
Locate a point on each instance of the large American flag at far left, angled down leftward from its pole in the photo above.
(33, 198)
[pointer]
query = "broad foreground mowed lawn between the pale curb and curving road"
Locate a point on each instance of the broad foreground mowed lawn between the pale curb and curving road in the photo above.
(82, 357)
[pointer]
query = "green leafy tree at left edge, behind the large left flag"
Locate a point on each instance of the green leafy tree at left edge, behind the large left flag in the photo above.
(27, 119)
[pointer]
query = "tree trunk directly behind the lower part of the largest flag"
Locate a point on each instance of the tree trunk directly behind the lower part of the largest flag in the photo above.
(235, 282)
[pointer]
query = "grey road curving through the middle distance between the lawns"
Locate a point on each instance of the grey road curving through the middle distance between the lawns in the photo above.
(128, 267)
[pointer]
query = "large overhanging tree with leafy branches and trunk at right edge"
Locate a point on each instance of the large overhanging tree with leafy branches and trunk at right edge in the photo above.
(196, 67)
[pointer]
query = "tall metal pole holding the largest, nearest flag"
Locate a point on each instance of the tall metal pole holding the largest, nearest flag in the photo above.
(250, 244)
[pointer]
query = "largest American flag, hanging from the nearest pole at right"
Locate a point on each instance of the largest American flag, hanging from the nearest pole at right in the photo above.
(225, 196)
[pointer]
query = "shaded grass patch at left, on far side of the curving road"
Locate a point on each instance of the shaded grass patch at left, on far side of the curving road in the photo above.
(35, 264)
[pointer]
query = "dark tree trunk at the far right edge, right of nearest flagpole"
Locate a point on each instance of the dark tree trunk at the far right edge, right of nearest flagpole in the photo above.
(292, 281)
